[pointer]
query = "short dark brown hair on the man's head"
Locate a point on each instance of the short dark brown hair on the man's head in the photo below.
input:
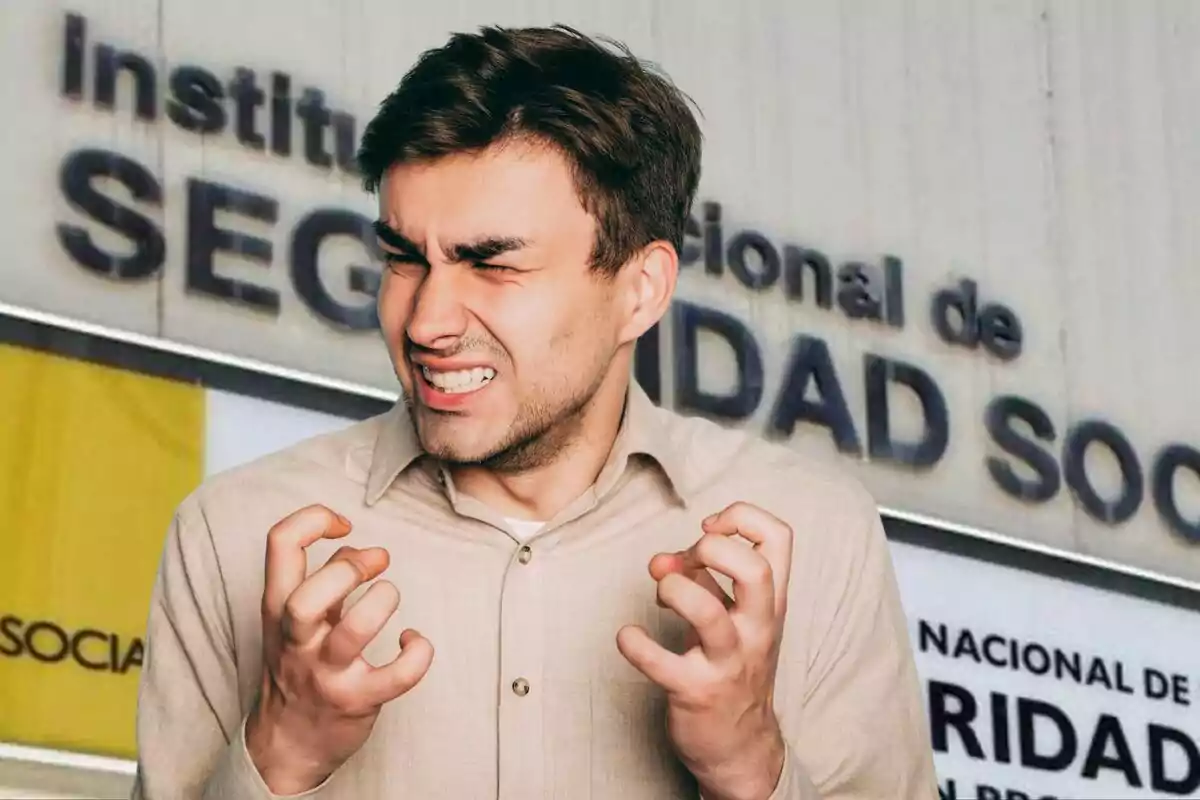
(627, 131)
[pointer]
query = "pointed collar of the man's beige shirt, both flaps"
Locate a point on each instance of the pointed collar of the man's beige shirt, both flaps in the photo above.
(645, 431)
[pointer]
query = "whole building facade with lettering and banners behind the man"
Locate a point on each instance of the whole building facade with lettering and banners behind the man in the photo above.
(946, 245)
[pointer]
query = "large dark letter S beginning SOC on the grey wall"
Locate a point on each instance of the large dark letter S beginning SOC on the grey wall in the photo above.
(999, 419)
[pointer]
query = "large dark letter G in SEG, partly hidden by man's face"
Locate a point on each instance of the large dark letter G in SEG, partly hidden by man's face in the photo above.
(307, 242)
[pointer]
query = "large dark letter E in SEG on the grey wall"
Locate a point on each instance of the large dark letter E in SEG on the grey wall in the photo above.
(205, 239)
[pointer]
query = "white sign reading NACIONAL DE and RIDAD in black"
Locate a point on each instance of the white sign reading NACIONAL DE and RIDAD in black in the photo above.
(1041, 689)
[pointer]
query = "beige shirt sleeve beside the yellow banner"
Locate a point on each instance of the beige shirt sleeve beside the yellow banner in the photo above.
(190, 720)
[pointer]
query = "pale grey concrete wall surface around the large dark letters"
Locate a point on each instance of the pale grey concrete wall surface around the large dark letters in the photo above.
(1046, 151)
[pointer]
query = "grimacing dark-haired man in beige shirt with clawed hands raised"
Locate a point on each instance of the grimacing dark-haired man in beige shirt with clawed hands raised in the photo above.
(625, 604)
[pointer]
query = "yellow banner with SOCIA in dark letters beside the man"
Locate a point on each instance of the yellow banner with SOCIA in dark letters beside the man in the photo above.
(93, 462)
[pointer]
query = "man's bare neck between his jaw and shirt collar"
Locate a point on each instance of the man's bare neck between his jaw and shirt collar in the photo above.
(542, 492)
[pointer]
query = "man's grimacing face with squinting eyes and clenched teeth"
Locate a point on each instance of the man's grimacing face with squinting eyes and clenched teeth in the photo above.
(499, 329)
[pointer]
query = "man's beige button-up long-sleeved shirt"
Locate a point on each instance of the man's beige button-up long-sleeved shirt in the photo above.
(544, 612)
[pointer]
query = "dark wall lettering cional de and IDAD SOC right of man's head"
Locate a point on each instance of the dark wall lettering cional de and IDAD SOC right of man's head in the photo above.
(1035, 459)
